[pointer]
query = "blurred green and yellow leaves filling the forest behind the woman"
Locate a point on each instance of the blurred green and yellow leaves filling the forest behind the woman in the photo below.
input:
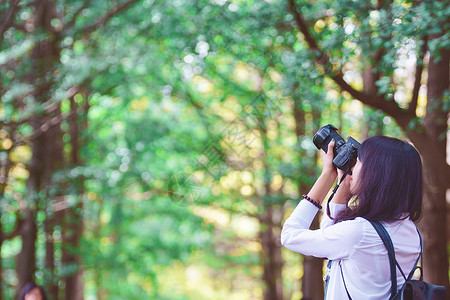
(189, 107)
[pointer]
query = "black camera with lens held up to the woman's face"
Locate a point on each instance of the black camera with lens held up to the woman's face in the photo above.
(345, 153)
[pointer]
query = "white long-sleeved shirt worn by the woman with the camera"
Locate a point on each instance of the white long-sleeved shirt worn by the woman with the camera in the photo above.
(363, 256)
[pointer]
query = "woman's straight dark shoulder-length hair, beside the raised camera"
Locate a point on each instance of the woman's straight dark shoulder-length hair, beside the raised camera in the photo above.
(390, 182)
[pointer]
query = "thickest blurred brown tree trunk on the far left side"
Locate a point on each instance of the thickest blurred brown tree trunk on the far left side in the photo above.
(47, 155)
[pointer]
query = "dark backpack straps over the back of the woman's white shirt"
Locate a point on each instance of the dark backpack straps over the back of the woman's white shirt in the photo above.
(384, 235)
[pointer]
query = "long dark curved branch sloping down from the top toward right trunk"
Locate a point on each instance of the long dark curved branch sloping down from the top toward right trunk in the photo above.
(376, 101)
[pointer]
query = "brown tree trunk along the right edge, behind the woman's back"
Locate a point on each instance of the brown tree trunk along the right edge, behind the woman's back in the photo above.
(432, 143)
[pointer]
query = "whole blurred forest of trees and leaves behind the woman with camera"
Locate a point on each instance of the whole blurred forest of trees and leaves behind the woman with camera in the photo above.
(153, 149)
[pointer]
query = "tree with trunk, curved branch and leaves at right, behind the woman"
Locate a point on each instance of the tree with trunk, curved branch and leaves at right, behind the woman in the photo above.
(382, 35)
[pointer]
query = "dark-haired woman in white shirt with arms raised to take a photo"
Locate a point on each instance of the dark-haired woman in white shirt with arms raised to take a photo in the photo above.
(387, 184)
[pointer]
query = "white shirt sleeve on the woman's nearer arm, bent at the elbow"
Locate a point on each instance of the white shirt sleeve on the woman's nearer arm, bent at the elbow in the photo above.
(336, 241)
